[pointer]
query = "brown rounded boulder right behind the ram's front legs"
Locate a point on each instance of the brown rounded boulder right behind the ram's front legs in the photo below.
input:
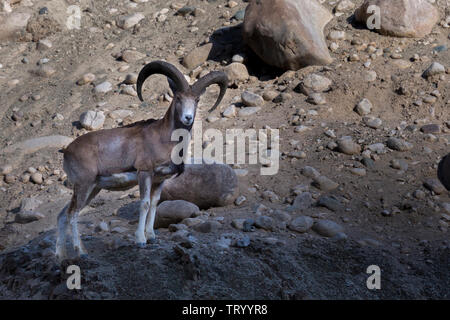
(206, 185)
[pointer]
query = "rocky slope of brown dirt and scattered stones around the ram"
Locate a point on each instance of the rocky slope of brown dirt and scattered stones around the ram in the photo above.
(360, 142)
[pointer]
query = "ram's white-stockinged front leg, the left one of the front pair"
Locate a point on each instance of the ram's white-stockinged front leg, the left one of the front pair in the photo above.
(145, 185)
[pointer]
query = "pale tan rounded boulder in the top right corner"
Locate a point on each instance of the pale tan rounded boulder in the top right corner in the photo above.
(401, 18)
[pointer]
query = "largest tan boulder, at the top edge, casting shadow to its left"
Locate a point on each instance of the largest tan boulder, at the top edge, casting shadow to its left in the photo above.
(287, 34)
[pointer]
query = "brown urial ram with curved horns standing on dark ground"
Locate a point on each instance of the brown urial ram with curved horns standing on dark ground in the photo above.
(140, 153)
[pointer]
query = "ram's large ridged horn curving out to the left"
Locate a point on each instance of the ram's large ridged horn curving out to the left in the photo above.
(161, 67)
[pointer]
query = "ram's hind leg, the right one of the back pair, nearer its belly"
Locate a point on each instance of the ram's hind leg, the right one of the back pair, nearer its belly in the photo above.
(83, 194)
